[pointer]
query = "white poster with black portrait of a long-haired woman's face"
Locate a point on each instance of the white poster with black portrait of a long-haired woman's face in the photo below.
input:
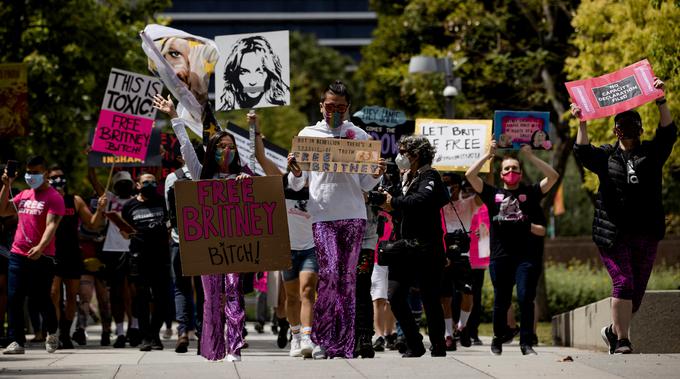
(253, 71)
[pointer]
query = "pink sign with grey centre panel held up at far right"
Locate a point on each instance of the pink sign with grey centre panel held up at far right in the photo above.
(614, 93)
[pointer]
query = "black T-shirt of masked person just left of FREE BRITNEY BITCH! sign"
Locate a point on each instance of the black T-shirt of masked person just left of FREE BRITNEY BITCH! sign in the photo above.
(149, 218)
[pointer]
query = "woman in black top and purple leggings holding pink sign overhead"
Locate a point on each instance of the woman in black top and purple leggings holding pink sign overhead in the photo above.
(629, 217)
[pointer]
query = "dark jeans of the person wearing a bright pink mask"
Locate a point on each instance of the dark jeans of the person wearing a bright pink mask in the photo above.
(505, 273)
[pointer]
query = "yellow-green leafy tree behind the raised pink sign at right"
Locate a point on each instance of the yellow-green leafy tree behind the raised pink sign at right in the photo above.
(613, 35)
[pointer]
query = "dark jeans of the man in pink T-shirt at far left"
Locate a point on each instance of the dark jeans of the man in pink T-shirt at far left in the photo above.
(33, 279)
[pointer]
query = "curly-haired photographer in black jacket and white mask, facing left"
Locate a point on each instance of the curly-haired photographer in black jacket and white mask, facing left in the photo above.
(424, 194)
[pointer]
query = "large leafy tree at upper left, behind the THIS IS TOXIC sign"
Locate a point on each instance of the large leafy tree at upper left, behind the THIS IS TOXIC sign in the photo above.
(70, 47)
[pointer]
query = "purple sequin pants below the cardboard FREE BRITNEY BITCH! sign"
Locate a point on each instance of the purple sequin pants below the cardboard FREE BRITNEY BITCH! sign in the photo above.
(223, 304)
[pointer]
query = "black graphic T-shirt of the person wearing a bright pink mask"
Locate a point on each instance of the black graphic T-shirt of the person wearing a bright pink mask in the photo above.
(511, 213)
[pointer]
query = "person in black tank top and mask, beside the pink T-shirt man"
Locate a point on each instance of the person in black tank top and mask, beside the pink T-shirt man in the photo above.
(68, 257)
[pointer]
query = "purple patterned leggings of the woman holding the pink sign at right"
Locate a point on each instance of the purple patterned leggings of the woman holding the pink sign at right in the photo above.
(629, 263)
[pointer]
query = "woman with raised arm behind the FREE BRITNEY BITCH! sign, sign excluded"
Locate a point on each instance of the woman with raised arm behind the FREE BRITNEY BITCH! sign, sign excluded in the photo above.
(221, 161)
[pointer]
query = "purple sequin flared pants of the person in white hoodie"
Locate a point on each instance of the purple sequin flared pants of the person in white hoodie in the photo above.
(338, 244)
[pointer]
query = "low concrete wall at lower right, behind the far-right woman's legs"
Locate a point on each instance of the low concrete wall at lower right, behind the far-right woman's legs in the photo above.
(655, 327)
